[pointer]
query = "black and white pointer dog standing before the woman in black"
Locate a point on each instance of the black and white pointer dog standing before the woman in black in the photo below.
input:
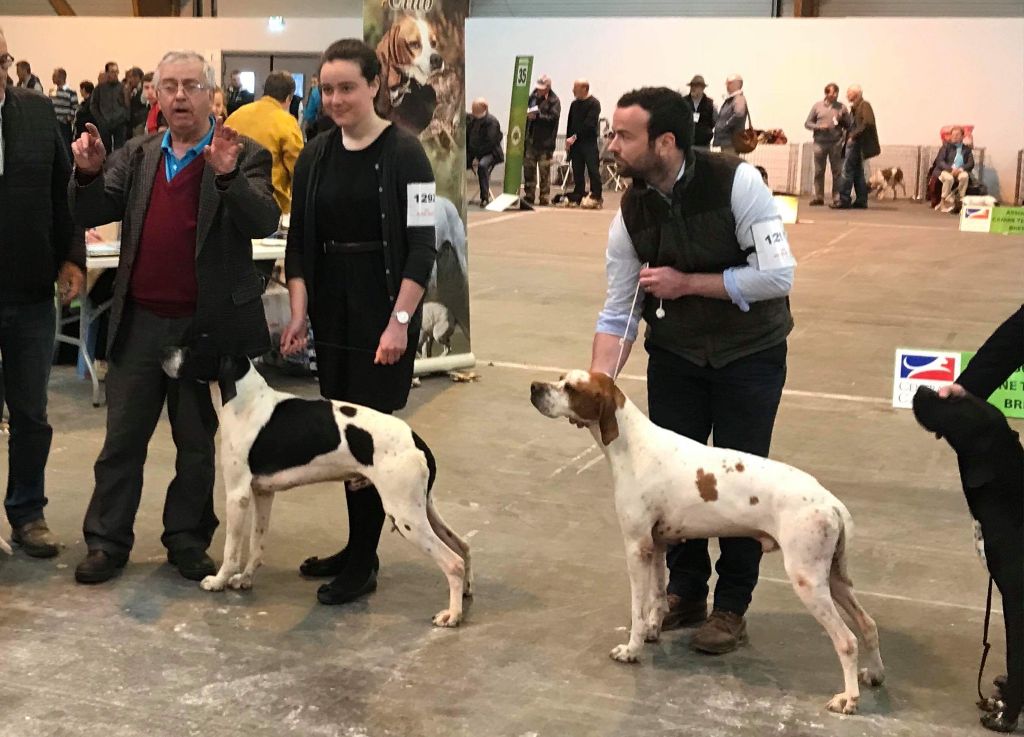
(272, 442)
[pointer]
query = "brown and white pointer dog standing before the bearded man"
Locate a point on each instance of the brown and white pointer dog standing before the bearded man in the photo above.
(670, 489)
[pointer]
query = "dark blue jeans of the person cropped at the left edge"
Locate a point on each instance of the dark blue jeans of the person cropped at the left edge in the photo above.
(27, 334)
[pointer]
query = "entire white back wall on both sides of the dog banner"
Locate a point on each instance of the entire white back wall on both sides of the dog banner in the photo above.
(785, 62)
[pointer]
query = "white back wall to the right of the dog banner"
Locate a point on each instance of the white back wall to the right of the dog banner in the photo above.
(786, 63)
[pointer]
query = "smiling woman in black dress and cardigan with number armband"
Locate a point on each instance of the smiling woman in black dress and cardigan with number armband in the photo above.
(361, 248)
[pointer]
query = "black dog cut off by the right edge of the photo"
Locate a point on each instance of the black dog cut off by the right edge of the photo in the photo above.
(992, 466)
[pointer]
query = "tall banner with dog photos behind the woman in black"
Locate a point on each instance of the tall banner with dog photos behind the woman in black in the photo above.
(421, 46)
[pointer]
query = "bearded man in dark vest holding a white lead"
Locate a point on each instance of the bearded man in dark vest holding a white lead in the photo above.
(701, 236)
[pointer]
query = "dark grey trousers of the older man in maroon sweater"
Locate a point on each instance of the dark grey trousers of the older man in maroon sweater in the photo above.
(137, 393)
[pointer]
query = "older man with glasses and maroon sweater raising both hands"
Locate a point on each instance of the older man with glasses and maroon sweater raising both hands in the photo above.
(190, 203)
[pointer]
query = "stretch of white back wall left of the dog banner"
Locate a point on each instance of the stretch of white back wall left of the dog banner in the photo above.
(83, 46)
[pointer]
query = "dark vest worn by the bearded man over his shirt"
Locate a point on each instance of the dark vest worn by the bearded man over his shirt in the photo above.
(697, 234)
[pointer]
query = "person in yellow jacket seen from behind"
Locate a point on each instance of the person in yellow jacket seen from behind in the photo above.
(269, 123)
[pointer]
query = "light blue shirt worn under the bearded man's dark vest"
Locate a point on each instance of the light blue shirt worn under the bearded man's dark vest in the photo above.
(752, 202)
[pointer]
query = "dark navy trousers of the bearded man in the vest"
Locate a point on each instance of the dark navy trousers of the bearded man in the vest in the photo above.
(739, 404)
